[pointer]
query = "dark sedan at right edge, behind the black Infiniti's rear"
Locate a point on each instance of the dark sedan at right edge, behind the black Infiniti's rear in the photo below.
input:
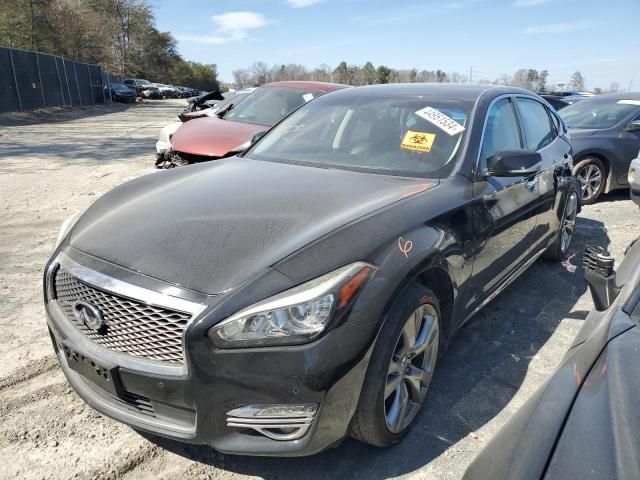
(605, 135)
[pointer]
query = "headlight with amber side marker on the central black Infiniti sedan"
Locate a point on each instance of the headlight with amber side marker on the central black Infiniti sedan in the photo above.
(295, 316)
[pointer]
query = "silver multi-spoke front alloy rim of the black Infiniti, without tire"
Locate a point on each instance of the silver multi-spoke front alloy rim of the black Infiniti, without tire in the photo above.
(411, 368)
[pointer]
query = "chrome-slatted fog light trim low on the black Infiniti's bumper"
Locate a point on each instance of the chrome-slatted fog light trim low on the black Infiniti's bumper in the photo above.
(278, 422)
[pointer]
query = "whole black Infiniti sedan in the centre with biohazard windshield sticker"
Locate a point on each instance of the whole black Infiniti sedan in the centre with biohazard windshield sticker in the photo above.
(276, 303)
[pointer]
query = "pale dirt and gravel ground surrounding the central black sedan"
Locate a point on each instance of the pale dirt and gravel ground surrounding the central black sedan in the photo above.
(51, 168)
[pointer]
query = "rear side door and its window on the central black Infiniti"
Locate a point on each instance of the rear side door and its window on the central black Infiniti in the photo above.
(542, 135)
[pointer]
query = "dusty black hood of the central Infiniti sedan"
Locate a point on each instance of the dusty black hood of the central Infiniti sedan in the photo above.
(210, 227)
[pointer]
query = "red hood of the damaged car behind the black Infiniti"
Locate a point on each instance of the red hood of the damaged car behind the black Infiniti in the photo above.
(212, 136)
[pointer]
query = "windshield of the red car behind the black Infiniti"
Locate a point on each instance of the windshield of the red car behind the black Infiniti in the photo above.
(268, 105)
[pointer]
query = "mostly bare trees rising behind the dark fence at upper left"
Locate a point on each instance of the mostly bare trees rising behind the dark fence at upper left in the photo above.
(120, 35)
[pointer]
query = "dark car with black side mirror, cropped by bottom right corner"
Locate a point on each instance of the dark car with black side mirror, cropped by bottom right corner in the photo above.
(583, 422)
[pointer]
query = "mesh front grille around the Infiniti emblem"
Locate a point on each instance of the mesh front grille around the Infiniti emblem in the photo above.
(132, 327)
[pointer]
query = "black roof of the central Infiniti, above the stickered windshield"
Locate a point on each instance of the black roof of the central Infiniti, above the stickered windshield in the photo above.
(443, 90)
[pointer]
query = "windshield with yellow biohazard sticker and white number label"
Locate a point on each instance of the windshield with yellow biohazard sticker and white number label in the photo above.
(395, 135)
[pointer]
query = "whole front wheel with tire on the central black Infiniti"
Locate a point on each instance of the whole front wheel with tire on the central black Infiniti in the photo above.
(401, 368)
